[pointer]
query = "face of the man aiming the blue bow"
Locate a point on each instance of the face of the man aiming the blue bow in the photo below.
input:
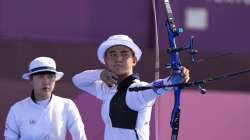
(120, 60)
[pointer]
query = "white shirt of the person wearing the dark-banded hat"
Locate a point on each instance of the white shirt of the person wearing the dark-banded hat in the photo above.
(27, 120)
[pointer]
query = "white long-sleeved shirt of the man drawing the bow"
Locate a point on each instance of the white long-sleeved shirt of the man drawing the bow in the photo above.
(141, 102)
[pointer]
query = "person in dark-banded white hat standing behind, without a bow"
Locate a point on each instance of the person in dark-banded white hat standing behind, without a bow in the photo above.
(43, 116)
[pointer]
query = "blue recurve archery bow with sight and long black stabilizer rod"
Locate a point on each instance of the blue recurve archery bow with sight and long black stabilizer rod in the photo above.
(176, 67)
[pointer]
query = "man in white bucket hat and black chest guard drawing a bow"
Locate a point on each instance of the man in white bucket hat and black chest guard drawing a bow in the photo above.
(126, 114)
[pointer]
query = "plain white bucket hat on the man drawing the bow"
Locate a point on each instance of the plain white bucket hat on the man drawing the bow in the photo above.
(118, 40)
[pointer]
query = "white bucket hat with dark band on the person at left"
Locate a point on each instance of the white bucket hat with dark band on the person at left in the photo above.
(41, 64)
